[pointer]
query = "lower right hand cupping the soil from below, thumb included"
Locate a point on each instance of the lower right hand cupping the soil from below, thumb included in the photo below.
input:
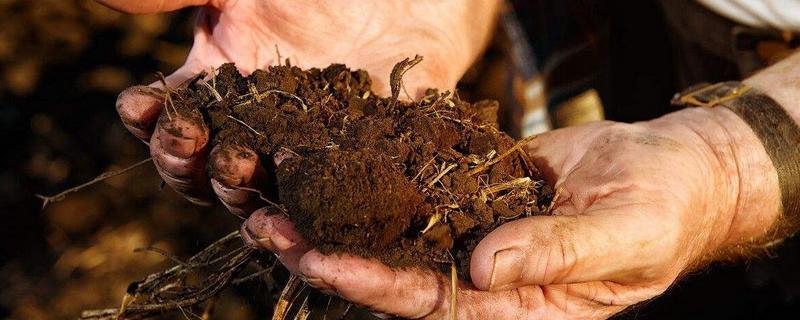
(639, 205)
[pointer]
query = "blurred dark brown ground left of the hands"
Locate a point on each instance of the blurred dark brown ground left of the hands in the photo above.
(62, 64)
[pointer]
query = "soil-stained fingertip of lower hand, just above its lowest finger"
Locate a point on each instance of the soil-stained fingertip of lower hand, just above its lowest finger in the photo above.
(275, 233)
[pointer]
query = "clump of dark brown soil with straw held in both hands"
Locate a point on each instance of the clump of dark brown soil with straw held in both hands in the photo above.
(411, 183)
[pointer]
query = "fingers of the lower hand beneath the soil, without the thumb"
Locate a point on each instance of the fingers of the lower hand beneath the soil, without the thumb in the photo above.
(417, 294)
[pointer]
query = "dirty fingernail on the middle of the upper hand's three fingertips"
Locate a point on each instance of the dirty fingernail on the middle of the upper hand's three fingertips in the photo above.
(181, 138)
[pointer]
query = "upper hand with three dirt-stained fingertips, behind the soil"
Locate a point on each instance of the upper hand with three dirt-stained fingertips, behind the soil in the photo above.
(372, 35)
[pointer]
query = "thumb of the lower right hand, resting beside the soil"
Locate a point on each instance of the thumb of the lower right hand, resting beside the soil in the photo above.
(607, 245)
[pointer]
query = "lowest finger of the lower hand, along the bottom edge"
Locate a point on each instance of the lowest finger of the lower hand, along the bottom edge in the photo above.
(416, 294)
